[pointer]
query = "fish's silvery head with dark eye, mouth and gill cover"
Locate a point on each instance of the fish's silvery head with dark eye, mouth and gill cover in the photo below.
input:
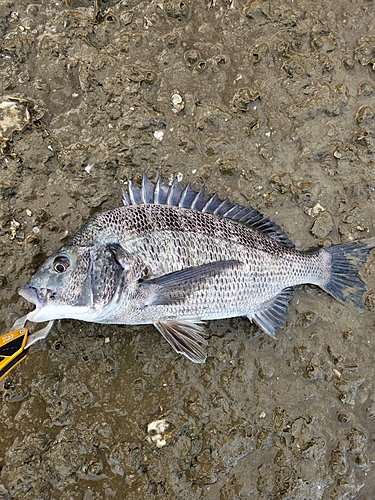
(77, 282)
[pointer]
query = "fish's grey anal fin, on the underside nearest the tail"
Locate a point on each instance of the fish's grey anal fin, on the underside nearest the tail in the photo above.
(273, 316)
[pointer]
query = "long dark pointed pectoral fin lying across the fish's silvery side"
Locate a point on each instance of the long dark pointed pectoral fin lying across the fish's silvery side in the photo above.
(173, 288)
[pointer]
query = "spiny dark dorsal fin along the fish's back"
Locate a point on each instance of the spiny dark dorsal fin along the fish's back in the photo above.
(162, 193)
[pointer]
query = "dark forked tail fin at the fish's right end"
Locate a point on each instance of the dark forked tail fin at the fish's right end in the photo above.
(342, 264)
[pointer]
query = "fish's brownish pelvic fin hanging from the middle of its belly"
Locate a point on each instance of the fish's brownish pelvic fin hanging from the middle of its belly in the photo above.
(185, 338)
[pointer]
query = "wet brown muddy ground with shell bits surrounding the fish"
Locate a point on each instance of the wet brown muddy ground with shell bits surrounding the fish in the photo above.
(269, 103)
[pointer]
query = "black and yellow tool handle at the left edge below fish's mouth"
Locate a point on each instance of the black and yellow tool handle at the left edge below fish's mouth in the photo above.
(12, 350)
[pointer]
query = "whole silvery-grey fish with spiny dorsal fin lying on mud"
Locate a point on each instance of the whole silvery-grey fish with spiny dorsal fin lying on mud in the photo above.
(175, 257)
